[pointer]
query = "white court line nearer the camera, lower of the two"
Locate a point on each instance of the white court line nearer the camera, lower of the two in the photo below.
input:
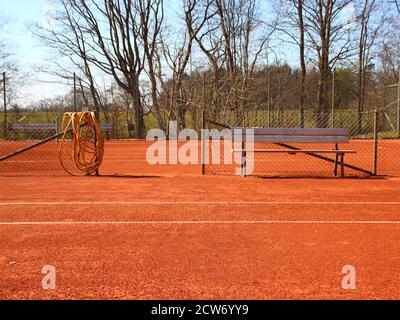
(205, 222)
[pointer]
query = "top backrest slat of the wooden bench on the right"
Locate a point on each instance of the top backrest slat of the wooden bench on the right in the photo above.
(294, 131)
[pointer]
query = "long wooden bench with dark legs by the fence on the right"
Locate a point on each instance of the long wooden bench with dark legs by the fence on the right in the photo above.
(283, 137)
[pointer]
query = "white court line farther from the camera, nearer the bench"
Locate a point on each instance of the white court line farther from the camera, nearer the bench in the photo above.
(149, 203)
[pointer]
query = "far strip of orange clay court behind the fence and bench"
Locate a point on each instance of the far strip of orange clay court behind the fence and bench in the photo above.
(128, 158)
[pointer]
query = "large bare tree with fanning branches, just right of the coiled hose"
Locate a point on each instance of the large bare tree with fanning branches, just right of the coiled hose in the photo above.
(115, 37)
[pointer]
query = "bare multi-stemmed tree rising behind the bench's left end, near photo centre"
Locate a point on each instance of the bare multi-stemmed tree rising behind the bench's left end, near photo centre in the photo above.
(233, 38)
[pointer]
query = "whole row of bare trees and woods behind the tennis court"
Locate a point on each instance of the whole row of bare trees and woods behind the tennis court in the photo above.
(222, 56)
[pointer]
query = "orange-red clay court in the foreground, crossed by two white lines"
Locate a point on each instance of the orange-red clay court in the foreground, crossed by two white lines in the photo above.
(166, 233)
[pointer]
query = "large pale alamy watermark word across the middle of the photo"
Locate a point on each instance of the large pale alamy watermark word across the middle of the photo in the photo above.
(228, 147)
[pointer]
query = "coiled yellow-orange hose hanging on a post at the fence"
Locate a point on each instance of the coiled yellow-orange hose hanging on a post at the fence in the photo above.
(82, 145)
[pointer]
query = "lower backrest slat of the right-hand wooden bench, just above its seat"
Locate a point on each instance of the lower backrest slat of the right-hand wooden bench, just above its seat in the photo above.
(295, 139)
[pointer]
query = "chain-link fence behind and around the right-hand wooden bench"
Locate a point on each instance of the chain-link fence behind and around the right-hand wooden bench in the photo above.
(375, 143)
